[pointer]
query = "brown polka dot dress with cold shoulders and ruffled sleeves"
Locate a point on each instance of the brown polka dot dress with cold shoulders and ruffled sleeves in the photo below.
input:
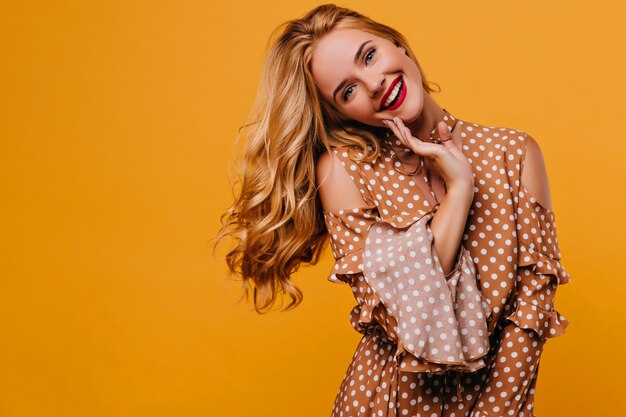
(465, 344)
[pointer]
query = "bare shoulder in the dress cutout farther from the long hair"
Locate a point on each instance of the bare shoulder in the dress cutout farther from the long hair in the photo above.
(534, 174)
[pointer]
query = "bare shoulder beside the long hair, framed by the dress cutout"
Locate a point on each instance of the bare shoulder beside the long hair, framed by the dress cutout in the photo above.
(337, 191)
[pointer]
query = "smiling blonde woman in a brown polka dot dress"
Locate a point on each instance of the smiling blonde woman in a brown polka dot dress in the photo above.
(443, 228)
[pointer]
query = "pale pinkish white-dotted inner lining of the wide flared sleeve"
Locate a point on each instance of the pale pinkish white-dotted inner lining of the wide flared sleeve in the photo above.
(439, 320)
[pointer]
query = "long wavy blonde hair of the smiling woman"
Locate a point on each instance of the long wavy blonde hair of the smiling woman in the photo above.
(277, 219)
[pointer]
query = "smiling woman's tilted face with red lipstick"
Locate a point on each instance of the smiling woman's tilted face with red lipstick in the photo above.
(359, 73)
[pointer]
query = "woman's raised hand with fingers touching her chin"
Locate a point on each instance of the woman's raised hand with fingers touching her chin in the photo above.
(448, 160)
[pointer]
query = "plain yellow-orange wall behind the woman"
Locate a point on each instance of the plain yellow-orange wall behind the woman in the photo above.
(117, 121)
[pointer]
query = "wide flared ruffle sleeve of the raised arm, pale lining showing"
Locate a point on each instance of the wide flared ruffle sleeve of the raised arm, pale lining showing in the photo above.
(438, 321)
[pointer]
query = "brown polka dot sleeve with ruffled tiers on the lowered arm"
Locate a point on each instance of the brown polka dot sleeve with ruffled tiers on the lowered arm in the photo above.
(539, 269)
